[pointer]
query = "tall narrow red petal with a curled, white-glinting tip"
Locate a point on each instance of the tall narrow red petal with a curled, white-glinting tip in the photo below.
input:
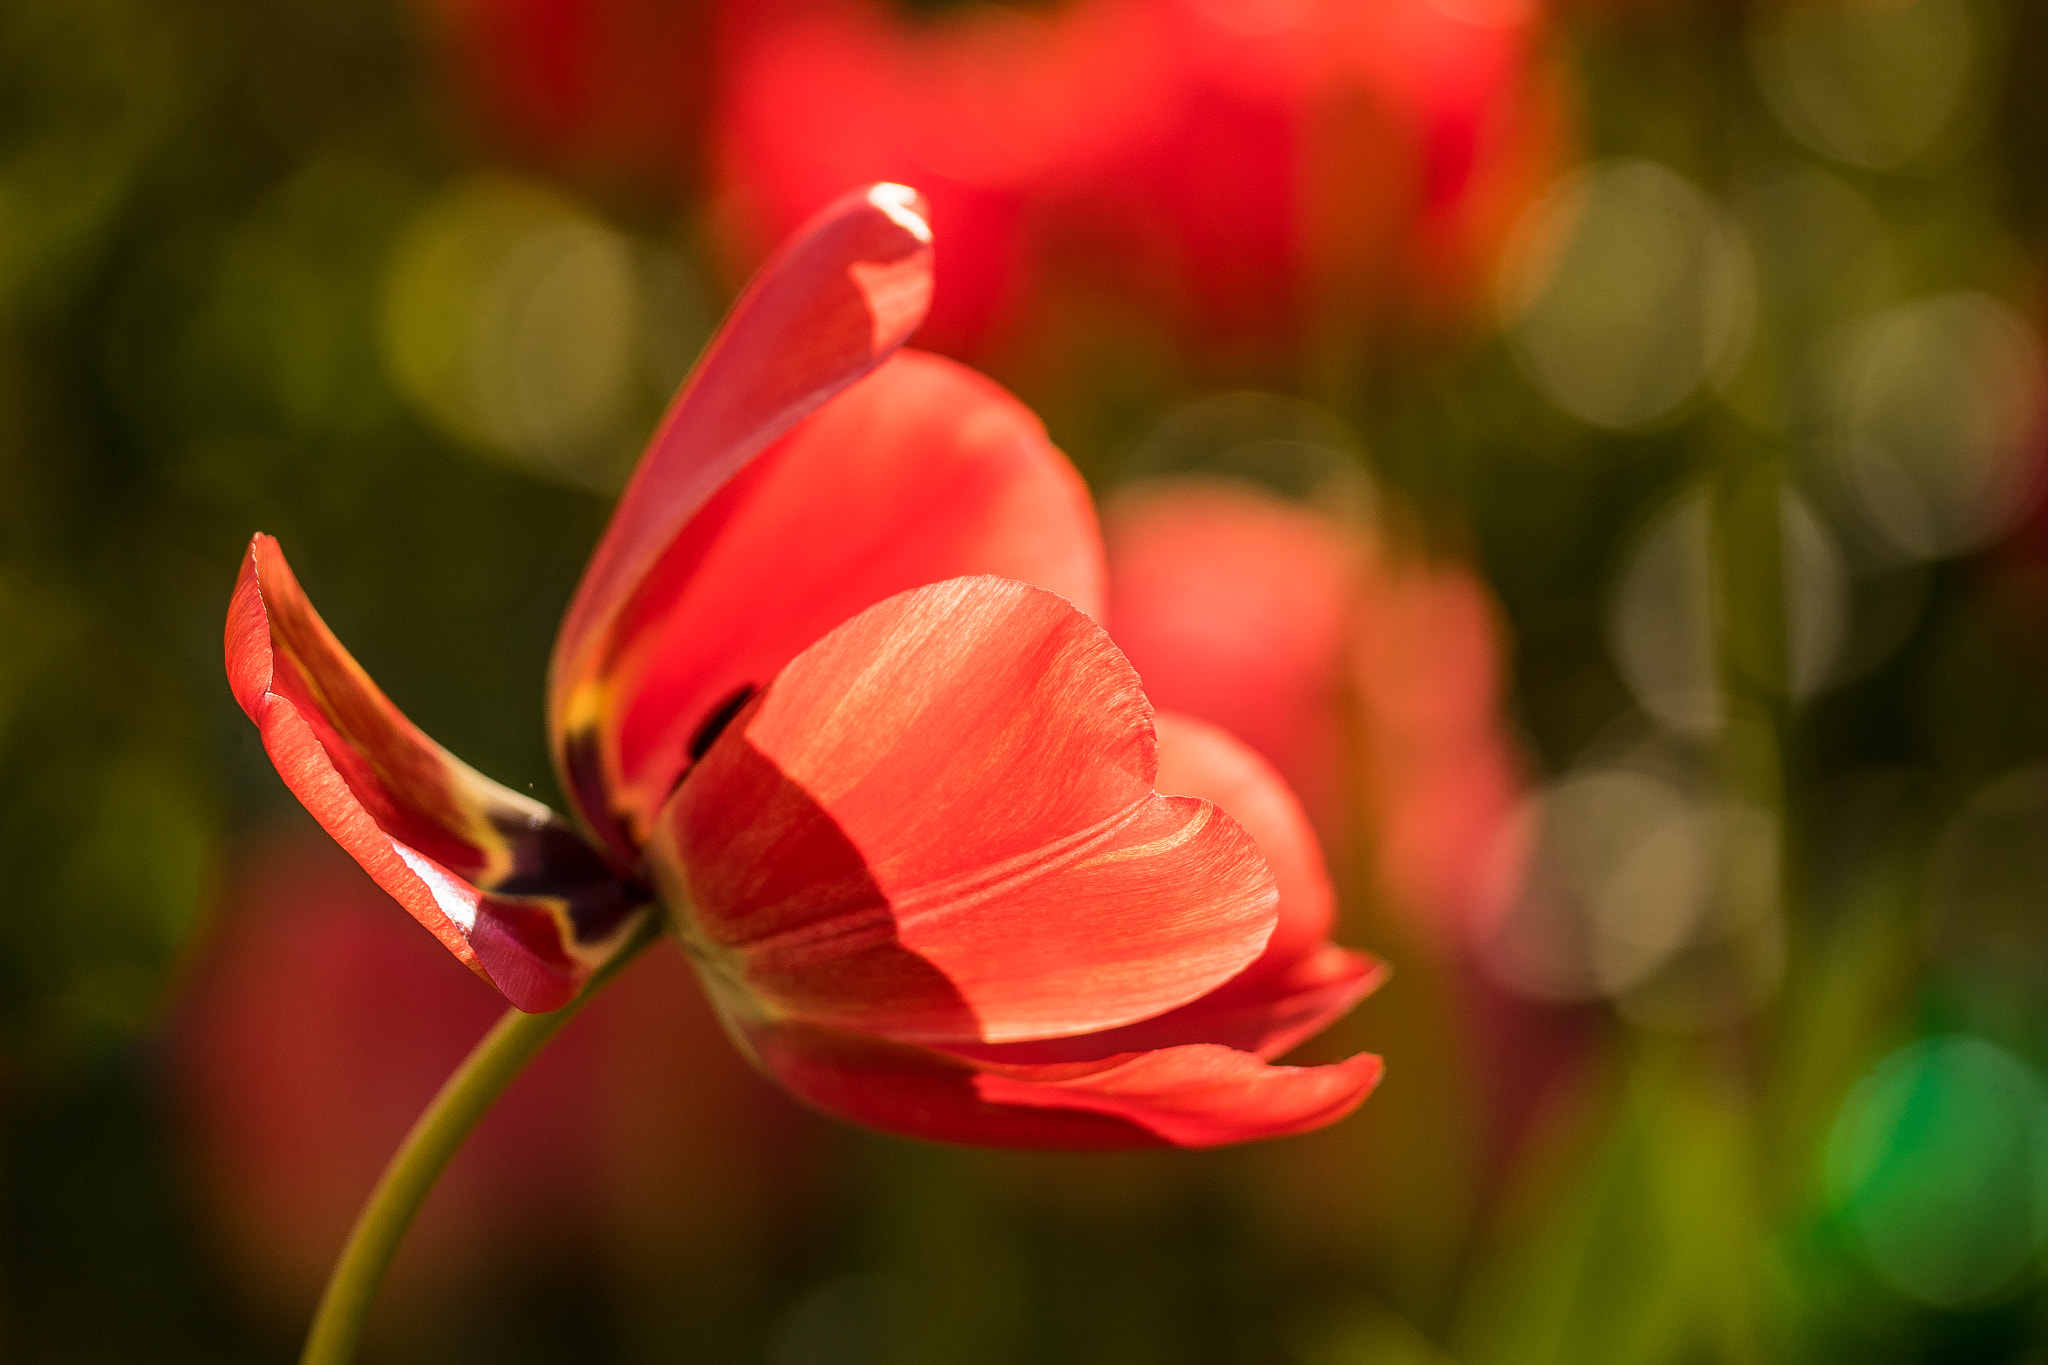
(833, 306)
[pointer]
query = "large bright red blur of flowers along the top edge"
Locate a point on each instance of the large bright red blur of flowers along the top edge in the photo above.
(1250, 167)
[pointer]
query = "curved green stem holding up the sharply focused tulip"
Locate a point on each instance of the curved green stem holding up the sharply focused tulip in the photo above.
(435, 1137)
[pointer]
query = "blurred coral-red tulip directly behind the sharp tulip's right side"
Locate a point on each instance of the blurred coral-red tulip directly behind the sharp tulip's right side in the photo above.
(1371, 685)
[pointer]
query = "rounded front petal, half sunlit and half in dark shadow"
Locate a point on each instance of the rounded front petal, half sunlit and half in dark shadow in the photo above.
(939, 826)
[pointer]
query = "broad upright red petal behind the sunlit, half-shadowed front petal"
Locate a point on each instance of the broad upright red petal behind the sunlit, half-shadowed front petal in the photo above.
(921, 474)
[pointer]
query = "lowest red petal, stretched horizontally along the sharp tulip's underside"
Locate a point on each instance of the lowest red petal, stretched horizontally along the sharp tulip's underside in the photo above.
(1187, 1098)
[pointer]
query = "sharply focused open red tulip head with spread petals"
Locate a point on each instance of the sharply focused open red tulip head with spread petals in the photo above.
(833, 703)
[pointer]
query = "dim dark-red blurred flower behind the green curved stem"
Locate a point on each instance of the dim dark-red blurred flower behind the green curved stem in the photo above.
(316, 1028)
